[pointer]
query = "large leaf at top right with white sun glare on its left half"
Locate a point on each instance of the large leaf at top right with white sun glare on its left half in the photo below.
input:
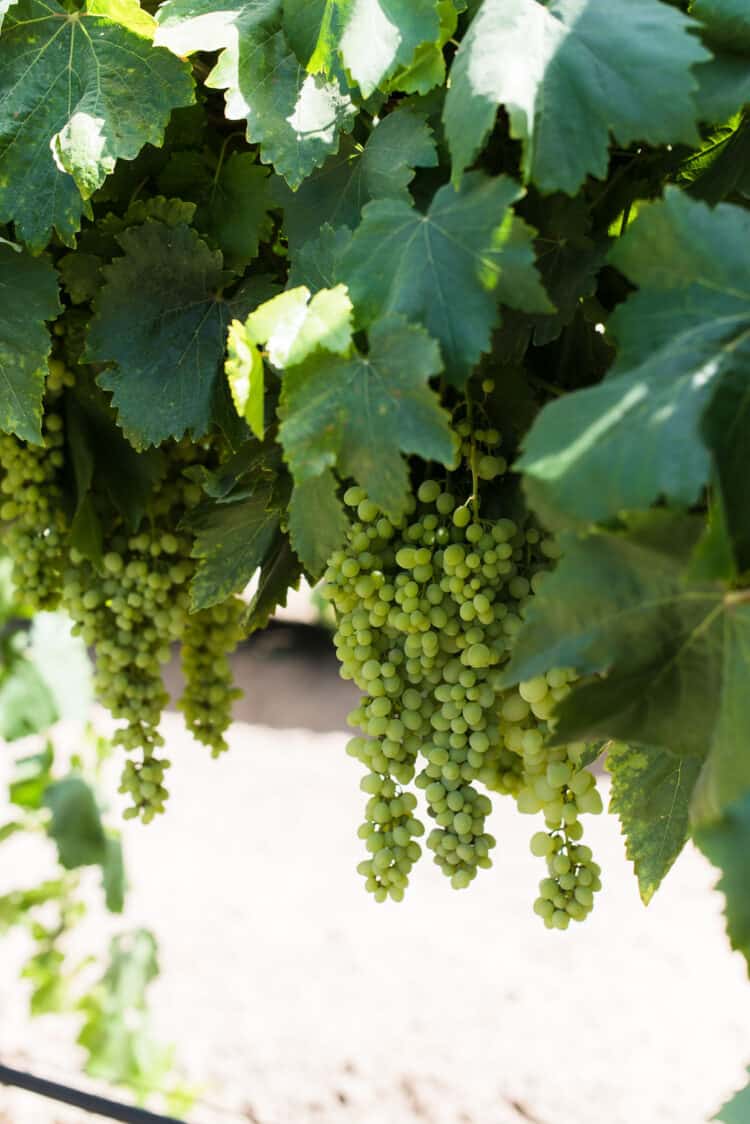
(566, 90)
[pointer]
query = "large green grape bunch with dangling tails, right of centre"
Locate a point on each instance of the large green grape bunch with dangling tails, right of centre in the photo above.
(427, 610)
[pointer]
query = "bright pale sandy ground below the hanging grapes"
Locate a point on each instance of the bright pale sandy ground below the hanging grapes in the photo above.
(295, 1000)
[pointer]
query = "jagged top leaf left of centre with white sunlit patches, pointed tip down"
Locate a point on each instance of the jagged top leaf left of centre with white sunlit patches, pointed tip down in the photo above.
(295, 117)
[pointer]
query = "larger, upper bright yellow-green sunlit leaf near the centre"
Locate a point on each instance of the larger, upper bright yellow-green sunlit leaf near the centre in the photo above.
(293, 327)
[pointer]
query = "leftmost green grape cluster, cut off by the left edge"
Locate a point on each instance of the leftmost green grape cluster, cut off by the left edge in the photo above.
(32, 512)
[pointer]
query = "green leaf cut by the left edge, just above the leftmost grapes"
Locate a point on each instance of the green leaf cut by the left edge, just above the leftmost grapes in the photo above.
(29, 297)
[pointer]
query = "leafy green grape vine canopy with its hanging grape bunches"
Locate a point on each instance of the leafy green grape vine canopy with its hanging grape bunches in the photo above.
(336, 298)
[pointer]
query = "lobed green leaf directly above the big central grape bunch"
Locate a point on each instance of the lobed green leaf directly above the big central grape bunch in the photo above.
(363, 412)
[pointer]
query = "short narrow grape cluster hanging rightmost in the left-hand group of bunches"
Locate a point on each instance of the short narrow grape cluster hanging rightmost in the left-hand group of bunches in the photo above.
(209, 640)
